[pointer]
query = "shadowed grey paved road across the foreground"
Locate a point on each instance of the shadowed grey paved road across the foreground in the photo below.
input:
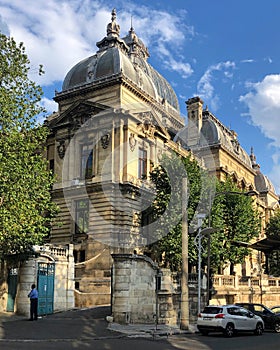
(87, 329)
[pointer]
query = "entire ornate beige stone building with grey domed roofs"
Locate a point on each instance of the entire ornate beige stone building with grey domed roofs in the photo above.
(116, 116)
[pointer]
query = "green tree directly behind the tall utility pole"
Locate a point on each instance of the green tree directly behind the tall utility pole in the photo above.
(168, 184)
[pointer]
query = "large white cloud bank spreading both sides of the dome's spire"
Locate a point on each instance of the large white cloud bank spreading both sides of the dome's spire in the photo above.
(58, 33)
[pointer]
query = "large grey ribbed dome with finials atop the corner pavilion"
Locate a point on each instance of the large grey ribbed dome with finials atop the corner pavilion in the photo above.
(126, 57)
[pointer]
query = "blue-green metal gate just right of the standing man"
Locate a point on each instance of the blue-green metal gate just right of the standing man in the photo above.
(45, 283)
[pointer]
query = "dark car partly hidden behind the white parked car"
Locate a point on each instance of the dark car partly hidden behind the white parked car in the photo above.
(271, 319)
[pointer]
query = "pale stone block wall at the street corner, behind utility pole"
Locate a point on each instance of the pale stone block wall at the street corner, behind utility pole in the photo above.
(135, 298)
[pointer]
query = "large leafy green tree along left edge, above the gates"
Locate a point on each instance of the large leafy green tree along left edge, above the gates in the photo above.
(26, 209)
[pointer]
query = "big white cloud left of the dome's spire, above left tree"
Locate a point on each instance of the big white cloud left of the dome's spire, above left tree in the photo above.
(56, 33)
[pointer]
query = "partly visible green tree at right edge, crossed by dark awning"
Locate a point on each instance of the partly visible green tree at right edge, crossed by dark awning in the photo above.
(273, 231)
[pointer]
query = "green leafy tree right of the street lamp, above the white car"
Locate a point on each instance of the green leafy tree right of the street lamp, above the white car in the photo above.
(236, 222)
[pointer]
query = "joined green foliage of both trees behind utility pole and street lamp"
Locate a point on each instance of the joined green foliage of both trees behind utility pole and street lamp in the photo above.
(232, 215)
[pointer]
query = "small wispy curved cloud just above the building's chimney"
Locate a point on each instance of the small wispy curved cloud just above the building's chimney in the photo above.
(205, 86)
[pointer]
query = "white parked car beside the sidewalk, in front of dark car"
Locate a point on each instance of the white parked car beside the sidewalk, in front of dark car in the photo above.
(228, 319)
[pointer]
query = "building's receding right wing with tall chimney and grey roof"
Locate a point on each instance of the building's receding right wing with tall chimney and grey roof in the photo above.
(223, 156)
